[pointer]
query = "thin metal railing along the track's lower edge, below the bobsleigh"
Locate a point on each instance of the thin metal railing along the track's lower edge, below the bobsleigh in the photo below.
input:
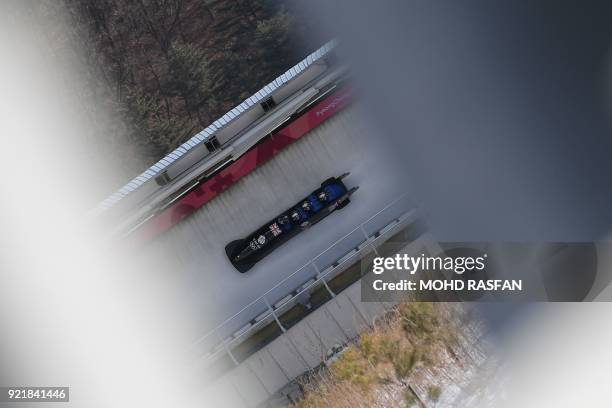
(270, 306)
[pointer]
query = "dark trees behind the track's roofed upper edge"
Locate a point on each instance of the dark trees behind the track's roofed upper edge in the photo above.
(168, 68)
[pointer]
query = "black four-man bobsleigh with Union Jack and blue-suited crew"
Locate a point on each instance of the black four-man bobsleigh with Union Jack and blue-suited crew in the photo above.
(331, 196)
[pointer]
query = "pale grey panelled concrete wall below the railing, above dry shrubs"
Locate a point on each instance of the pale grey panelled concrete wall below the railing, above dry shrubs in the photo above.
(300, 349)
